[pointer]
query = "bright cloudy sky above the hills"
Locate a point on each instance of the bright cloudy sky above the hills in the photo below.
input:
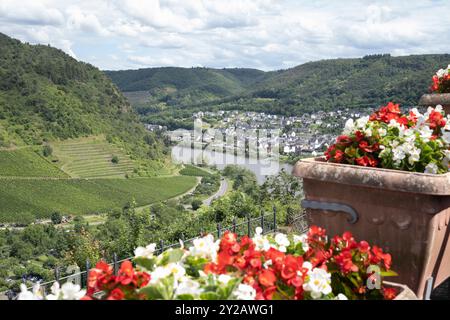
(264, 34)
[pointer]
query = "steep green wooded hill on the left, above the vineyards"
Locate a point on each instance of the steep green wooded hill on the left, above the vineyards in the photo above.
(46, 95)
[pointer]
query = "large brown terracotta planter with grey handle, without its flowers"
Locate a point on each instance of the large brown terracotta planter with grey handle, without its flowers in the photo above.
(405, 213)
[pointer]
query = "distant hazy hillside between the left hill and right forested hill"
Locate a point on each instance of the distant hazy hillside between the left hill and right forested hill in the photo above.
(154, 88)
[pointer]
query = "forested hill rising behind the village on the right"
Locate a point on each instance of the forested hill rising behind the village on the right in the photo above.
(368, 81)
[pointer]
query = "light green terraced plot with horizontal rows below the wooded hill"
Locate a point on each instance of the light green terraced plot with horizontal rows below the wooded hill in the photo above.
(91, 158)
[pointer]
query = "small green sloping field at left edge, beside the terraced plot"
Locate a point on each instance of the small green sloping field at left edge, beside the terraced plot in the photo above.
(27, 163)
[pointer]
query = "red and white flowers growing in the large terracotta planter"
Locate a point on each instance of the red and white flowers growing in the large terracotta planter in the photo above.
(393, 140)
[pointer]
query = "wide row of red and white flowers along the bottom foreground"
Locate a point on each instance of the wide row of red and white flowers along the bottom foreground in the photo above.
(288, 267)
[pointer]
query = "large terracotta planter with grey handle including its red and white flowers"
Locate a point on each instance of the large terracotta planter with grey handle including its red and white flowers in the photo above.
(386, 180)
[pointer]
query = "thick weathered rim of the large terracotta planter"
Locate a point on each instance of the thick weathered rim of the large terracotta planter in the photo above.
(412, 182)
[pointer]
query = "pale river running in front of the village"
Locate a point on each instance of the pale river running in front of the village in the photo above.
(260, 167)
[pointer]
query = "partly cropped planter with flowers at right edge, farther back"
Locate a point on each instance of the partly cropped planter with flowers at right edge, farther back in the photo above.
(440, 91)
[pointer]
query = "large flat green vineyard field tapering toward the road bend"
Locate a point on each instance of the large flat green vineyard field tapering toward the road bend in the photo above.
(40, 197)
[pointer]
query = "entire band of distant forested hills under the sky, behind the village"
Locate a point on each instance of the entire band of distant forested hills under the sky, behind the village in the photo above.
(363, 82)
